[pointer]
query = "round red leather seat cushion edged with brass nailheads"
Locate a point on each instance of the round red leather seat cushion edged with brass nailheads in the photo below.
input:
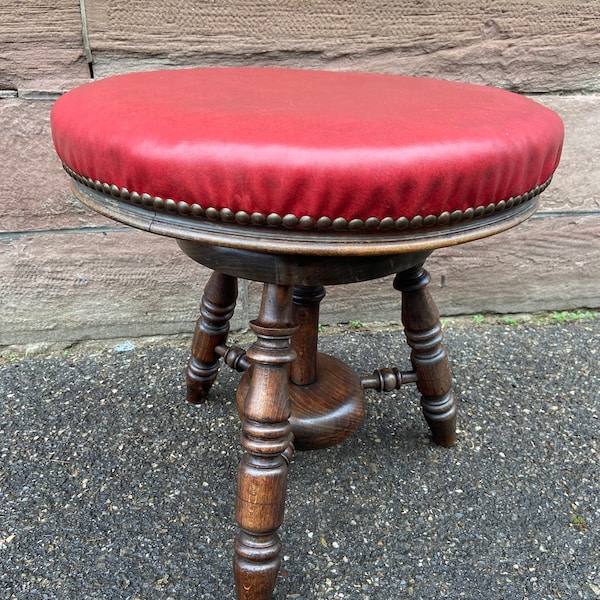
(306, 149)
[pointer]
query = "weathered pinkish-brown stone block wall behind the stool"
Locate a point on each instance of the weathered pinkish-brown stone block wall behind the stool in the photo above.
(67, 274)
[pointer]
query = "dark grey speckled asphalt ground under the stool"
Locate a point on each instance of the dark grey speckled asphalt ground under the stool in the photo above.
(112, 487)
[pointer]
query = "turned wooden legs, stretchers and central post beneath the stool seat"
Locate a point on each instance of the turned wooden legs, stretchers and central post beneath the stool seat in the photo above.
(292, 397)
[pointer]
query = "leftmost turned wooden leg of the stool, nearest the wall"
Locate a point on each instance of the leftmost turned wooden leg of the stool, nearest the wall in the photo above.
(216, 309)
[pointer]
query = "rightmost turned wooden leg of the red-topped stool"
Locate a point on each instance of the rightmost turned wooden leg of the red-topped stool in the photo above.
(424, 335)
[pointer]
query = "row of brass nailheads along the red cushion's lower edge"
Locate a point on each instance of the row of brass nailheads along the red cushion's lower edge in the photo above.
(291, 221)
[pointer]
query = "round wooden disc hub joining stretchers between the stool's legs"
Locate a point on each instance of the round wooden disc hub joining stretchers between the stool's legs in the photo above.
(326, 412)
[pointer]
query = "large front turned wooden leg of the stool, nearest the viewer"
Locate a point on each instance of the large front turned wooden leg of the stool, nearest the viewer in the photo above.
(266, 438)
